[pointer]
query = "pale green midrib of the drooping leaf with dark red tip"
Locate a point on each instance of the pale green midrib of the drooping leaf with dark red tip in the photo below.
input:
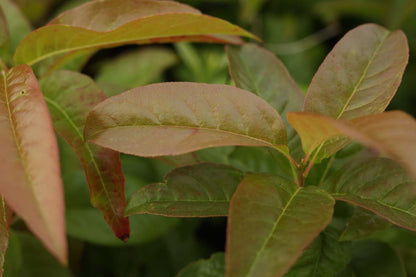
(86, 146)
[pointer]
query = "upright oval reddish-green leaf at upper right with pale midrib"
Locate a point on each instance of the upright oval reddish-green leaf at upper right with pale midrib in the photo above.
(360, 75)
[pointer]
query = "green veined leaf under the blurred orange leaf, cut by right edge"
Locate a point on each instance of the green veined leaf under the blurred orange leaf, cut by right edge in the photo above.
(379, 185)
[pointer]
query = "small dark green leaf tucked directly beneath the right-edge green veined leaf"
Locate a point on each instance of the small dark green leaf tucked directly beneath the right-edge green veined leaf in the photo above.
(363, 223)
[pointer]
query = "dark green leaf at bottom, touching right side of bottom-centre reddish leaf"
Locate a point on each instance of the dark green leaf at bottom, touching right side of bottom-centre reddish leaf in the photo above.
(325, 256)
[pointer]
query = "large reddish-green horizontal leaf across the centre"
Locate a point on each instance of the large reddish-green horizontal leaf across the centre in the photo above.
(176, 118)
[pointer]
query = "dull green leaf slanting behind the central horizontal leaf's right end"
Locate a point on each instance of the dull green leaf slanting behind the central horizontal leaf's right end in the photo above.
(257, 70)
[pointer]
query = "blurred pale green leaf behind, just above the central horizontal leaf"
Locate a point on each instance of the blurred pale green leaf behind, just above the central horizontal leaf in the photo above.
(135, 68)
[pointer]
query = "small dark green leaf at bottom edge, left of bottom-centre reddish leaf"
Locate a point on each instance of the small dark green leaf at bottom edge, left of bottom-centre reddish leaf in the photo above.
(212, 267)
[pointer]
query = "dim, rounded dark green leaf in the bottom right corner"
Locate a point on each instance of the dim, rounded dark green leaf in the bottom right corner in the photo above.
(373, 258)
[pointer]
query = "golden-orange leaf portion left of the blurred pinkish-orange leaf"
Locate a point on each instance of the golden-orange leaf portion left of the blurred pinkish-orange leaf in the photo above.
(318, 135)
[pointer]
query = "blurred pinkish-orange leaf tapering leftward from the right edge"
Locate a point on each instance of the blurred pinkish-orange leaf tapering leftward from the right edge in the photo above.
(393, 133)
